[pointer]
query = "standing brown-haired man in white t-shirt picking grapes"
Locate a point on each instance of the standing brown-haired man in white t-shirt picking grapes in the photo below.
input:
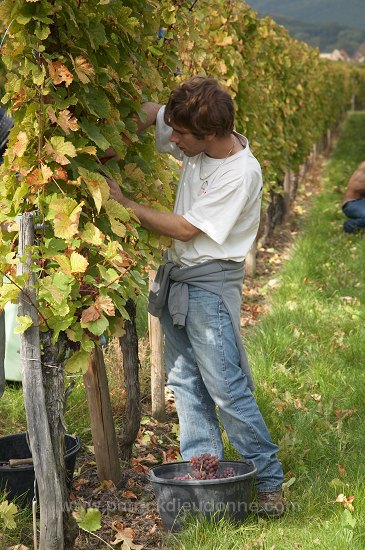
(197, 292)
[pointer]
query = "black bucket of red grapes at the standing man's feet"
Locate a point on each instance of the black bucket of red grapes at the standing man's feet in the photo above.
(211, 498)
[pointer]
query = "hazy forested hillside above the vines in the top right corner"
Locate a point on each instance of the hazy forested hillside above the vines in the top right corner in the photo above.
(325, 24)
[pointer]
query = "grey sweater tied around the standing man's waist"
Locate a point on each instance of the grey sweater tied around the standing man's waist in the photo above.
(220, 277)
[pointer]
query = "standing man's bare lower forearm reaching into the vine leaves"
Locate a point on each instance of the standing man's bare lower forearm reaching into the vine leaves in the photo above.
(164, 223)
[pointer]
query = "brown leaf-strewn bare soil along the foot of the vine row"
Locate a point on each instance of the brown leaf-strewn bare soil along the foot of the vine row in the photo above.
(129, 513)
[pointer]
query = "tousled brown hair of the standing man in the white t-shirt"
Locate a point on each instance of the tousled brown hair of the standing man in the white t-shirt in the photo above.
(201, 106)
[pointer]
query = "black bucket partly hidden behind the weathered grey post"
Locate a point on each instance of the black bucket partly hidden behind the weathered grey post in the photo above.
(18, 481)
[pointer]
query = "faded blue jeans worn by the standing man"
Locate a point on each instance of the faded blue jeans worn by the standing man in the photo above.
(203, 371)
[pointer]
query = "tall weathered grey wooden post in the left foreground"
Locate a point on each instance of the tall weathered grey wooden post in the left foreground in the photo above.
(49, 487)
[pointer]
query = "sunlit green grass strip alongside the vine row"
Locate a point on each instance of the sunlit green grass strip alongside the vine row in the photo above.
(308, 359)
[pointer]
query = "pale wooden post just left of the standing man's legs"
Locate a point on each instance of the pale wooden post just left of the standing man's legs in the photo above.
(157, 364)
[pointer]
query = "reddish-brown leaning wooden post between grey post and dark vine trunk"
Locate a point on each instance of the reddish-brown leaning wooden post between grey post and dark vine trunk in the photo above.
(101, 418)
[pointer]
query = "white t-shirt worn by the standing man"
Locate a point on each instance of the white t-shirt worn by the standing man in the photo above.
(224, 205)
